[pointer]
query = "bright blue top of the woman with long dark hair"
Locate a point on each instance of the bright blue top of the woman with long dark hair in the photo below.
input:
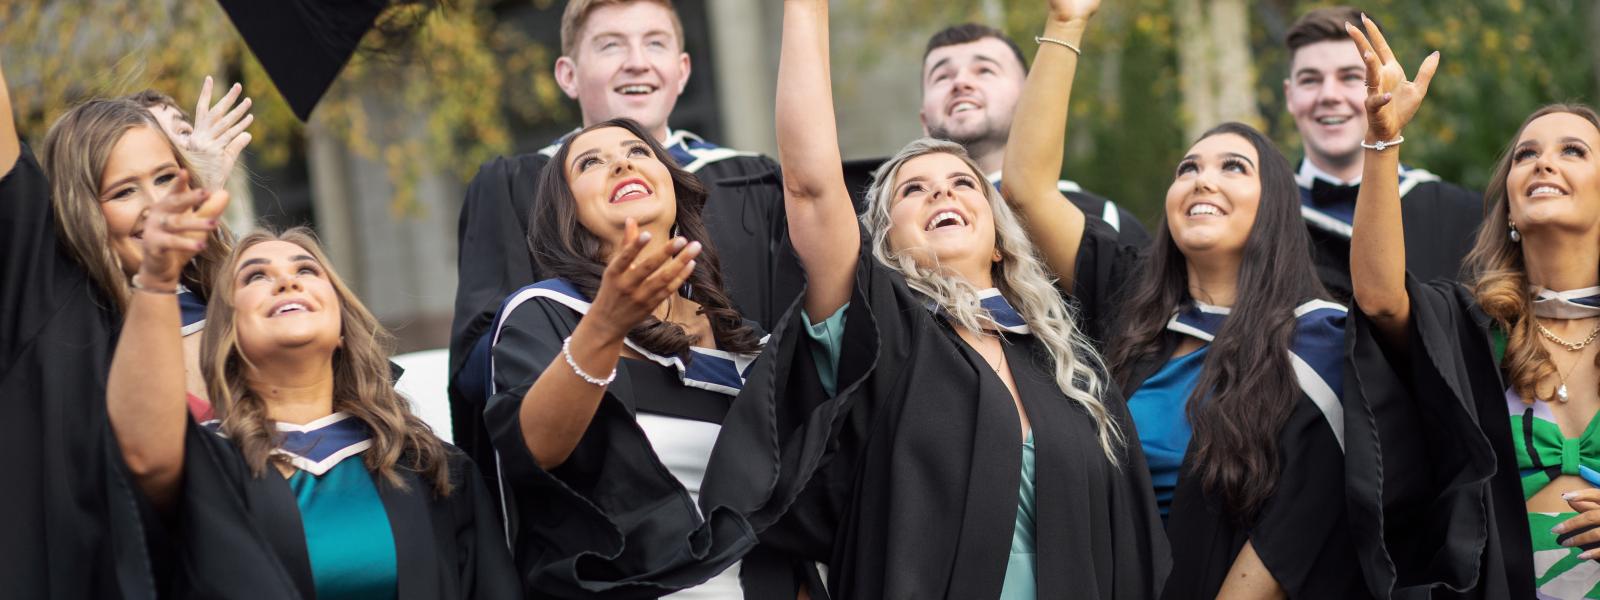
(1158, 410)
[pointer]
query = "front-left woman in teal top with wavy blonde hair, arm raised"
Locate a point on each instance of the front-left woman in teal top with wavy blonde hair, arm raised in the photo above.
(318, 481)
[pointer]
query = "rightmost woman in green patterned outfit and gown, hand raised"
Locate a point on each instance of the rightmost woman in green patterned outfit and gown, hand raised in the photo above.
(1478, 402)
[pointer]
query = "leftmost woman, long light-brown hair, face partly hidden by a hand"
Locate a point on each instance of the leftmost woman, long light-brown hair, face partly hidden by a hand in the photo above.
(71, 247)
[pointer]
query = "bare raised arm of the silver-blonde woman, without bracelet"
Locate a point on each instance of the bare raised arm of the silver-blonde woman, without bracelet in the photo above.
(822, 220)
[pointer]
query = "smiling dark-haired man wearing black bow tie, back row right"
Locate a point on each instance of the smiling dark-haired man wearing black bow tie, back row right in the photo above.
(1326, 94)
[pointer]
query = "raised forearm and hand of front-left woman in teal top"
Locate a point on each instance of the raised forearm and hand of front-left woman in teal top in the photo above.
(145, 394)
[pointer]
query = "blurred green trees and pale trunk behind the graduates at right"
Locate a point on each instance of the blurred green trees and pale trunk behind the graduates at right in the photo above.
(1156, 73)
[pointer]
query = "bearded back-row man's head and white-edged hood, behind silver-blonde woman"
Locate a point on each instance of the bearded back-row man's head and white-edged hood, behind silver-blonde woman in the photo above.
(972, 78)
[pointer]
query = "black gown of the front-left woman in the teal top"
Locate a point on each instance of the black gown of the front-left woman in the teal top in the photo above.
(241, 537)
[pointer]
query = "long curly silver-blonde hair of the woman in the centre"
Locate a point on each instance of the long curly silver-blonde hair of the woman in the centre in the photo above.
(1020, 276)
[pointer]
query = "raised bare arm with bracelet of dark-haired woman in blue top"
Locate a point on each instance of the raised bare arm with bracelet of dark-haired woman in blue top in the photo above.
(1033, 153)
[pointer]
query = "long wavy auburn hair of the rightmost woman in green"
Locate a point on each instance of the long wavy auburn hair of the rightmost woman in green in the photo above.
(1502, 279)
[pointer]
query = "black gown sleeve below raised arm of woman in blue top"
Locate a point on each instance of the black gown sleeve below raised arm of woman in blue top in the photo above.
(1103, 268)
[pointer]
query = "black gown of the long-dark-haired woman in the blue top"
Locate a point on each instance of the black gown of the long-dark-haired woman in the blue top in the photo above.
(1302, 534)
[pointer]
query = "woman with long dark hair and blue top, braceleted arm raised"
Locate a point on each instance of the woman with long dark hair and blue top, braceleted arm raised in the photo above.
(1225, 343)
